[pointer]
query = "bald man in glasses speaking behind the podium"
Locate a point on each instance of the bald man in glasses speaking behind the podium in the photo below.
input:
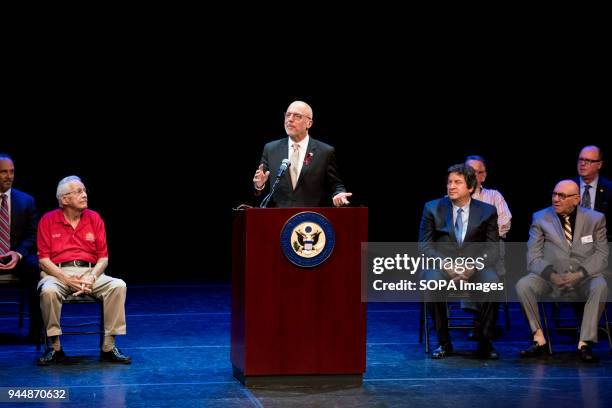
(312, 179)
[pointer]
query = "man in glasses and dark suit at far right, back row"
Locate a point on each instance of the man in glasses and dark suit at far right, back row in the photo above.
(595, 190)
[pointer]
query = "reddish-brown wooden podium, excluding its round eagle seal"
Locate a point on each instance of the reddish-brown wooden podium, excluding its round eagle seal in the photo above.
(297, 324)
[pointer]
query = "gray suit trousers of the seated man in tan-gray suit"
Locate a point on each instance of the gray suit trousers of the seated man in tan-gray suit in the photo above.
(594, 290)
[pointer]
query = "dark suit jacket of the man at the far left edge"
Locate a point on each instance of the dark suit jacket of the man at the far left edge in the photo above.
(24, 219)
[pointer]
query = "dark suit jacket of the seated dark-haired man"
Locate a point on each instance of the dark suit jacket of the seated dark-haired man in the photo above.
(437, 231)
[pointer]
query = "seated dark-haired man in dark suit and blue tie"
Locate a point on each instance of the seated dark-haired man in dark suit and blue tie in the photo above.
(458, 226)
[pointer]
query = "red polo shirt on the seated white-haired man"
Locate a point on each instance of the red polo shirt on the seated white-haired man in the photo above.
(58, 241)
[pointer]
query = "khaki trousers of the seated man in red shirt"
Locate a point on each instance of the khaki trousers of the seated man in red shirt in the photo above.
(111, 290)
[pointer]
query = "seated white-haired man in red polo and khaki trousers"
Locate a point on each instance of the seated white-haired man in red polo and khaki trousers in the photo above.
(73, 256)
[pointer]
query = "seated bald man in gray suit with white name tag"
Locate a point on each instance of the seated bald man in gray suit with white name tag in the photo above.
(566, 257)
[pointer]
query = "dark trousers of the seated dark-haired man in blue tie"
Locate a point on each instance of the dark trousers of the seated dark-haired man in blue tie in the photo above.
(486, 315)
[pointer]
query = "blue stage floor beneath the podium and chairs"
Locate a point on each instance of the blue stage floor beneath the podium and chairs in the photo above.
(178, 337)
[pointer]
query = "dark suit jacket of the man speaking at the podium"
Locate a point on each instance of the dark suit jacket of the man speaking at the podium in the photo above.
(318, 181)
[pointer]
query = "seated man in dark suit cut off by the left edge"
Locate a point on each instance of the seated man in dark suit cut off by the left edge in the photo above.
(18, 238)
